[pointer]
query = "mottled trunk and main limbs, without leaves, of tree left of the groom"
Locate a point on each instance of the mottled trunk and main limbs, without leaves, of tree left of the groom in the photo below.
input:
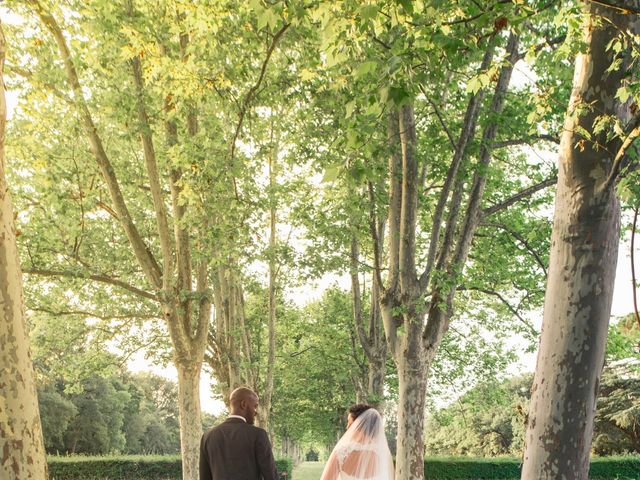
(187, 317)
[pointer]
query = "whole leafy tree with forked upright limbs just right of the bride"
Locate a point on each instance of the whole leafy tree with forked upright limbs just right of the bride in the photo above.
(439, 188)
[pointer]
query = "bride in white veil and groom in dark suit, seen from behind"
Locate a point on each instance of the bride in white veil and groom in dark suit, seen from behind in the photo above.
(236, 450)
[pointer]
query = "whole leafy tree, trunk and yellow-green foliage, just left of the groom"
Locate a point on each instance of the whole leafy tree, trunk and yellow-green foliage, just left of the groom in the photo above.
(188, 158)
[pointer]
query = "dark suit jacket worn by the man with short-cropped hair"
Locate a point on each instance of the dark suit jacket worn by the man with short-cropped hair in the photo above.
(235, 450)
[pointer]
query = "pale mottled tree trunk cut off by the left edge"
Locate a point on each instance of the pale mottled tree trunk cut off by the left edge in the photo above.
(22, 453)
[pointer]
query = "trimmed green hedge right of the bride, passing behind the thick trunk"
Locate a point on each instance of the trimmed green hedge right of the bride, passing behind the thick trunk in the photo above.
(455, 468)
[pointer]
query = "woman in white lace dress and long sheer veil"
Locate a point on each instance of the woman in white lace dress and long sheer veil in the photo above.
(362, 452)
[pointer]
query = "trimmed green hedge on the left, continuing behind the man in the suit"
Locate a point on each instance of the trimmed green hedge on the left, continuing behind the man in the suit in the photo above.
(168, 467)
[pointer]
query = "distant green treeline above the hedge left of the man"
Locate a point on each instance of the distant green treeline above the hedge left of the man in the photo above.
(134, 414)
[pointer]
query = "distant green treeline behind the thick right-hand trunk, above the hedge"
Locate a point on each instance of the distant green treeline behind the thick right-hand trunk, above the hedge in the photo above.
(490, 419)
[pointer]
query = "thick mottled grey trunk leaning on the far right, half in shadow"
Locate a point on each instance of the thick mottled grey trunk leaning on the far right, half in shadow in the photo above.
(584, 247)
